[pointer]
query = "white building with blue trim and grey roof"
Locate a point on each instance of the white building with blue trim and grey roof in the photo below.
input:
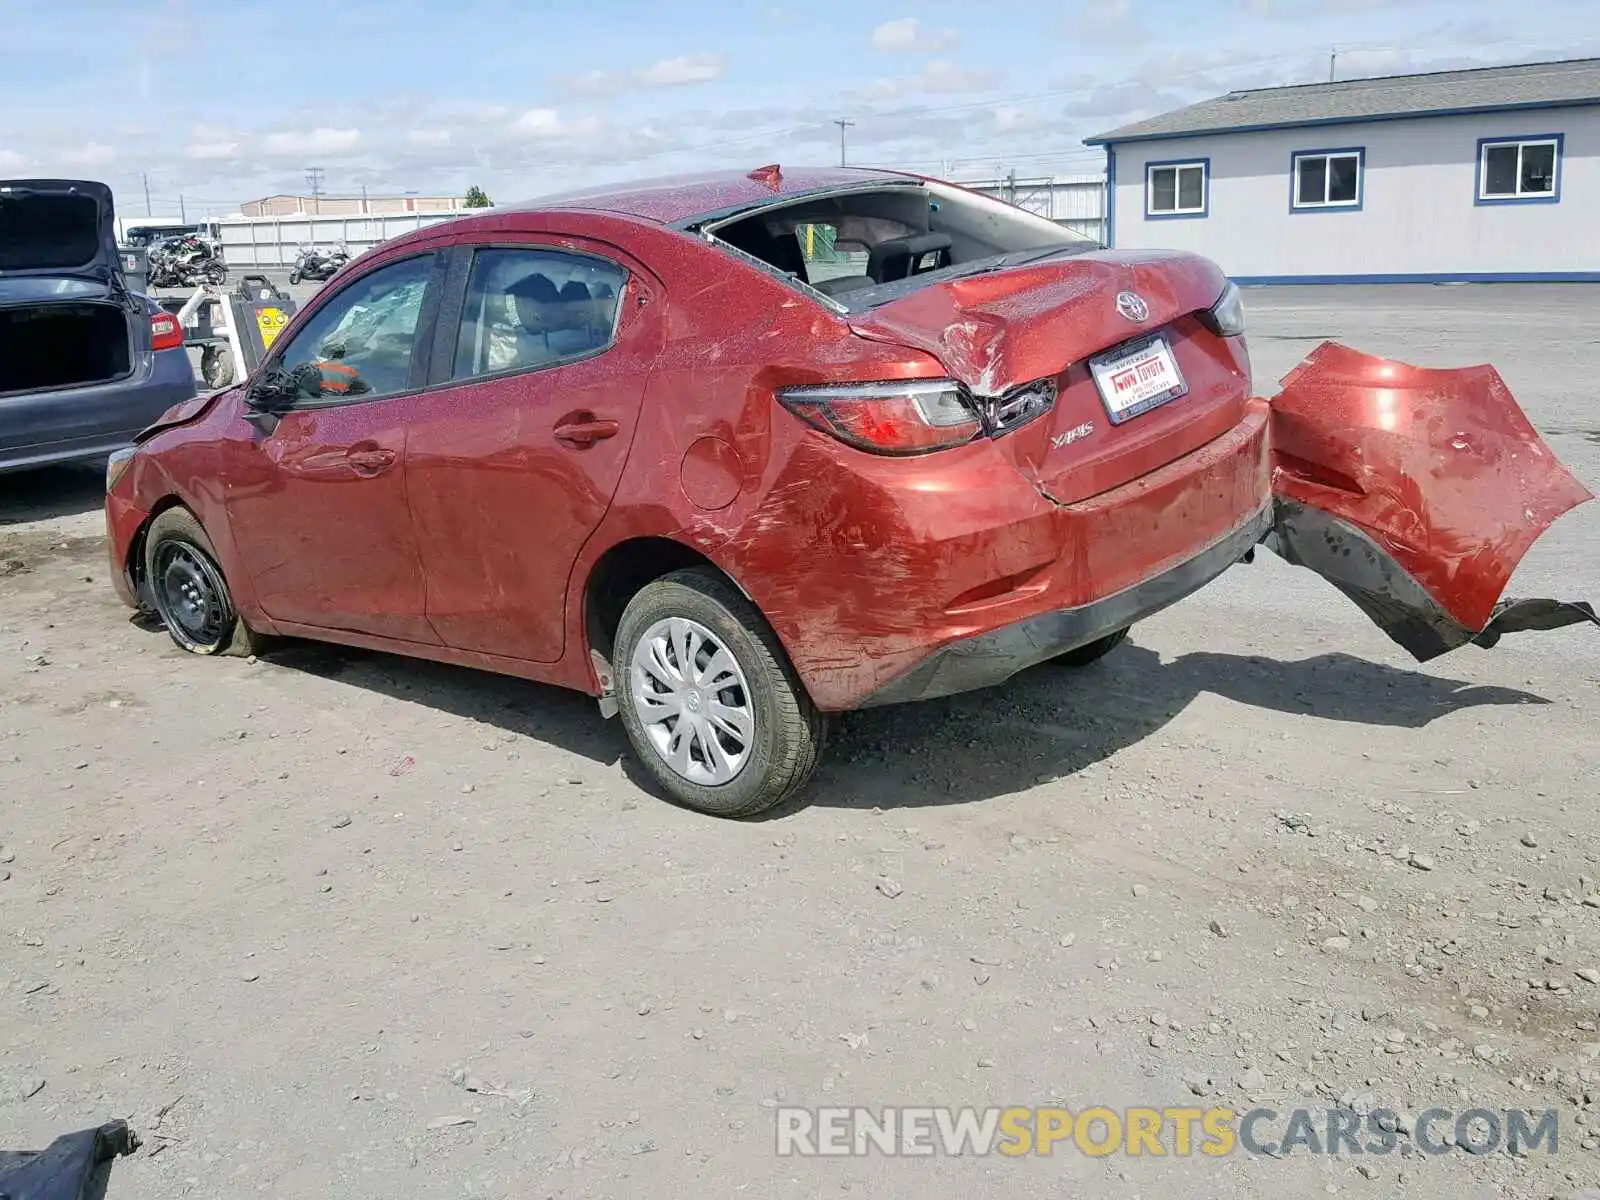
(1487, 175)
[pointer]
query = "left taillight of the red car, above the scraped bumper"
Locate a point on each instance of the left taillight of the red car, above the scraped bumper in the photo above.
(913, 417)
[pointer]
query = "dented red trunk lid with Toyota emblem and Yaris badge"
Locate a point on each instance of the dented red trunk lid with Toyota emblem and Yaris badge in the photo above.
(1002, 330)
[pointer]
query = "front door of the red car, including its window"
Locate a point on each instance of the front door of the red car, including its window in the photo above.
(316, 494)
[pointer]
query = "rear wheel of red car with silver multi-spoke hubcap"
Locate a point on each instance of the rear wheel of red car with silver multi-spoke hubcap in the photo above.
(700, 610)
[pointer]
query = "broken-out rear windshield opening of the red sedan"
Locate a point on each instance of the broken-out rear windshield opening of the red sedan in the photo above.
(865, 247)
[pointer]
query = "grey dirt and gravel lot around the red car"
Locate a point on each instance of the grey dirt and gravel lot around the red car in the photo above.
(338, 924)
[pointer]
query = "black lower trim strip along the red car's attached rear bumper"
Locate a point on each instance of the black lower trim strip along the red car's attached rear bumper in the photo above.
(986, 660)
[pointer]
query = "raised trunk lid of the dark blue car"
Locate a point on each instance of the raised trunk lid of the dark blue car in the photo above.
(58, 228)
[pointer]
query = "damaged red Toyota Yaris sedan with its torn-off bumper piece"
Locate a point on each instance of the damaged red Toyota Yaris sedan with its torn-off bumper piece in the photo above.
(743, 452)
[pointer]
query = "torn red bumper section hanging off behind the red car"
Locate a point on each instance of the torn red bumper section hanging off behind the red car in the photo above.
(1417, 492)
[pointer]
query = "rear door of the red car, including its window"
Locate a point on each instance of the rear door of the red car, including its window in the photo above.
(540, 370)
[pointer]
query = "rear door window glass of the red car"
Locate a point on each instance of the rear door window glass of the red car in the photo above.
(537, 308)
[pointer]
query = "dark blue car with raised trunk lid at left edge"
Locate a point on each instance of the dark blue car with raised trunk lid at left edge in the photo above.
(86, 362)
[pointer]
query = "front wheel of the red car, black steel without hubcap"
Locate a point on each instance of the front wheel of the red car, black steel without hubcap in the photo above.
(188, 588)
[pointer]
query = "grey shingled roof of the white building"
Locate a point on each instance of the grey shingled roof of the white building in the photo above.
(1537, 86)
